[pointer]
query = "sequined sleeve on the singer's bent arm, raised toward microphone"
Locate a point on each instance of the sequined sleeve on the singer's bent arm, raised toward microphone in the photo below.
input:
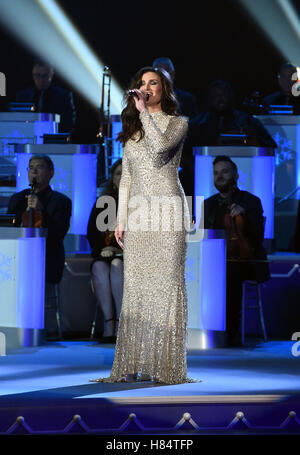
(163, 146)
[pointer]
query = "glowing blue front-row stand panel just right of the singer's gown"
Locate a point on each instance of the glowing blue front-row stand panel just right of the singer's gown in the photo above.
(213, 295)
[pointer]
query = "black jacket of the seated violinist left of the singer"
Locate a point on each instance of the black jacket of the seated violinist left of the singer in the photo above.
(56, 218)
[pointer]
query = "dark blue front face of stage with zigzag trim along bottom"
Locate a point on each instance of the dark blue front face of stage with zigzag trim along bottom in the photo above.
(104, 418)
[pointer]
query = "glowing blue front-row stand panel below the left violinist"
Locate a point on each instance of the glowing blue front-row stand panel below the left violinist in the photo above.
(31, 283)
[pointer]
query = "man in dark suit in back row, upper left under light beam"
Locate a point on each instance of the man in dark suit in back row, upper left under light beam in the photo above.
(49, 97)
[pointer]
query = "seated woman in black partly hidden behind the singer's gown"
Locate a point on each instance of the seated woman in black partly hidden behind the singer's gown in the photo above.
(107, 265)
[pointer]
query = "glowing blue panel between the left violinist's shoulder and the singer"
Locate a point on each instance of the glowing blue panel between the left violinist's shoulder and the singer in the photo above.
(84, 190)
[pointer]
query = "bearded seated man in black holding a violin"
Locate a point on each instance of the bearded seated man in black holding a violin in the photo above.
(240, 213)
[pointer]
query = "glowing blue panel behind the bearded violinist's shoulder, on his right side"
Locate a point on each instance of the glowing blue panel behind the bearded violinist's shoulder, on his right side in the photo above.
(263, 186)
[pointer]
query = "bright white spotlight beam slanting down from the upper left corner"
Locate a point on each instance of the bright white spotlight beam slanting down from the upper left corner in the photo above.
(46, 30)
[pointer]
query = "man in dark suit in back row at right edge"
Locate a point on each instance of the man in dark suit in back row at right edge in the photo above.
(287, 78)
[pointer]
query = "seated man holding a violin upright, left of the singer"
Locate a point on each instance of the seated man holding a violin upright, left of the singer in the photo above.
(47, 209)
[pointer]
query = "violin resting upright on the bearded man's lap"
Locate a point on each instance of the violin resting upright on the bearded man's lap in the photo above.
(238, 244)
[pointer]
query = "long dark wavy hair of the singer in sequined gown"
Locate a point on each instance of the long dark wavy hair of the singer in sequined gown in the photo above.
(131, 123)
